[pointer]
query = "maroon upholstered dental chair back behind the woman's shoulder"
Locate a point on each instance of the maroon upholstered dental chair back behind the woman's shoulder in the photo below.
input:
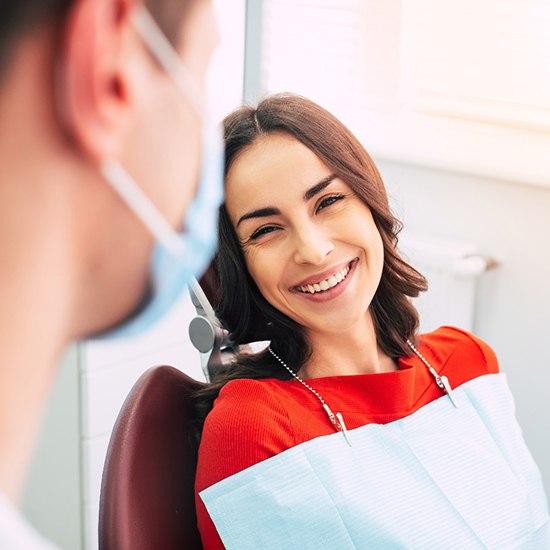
(147, 493)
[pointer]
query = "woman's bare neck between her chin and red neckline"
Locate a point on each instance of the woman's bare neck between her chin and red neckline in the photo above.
(354, 351)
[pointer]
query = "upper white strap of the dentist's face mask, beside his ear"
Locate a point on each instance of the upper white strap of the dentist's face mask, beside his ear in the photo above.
(164, 52)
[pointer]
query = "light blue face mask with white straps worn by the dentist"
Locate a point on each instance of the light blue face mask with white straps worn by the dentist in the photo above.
(176, 257)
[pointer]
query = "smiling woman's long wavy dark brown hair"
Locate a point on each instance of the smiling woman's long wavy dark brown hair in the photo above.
(240, 305)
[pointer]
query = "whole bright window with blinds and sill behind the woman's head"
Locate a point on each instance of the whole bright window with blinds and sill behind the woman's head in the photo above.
(456, 84)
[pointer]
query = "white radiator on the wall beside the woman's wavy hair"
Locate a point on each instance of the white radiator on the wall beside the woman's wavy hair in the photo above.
(453, 271)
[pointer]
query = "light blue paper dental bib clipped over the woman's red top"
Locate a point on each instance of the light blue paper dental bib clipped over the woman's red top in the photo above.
(441, 478)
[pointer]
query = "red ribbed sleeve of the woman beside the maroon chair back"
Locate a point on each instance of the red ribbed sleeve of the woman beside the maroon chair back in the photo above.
(246, 425)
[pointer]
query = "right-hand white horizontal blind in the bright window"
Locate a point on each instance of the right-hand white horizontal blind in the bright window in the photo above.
(478, 59)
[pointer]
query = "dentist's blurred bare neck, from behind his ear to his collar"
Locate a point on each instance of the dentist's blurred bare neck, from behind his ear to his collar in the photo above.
(42, 202)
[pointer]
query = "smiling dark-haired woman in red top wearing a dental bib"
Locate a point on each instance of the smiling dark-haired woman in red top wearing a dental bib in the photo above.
(349, 430)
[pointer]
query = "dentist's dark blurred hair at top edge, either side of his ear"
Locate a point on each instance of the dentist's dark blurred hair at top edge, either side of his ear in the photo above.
(17, 17)
